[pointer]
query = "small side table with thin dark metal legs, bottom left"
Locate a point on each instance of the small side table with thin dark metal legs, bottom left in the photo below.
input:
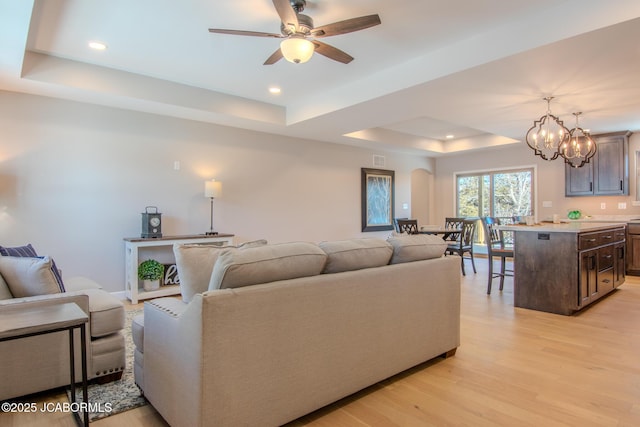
(21, 322)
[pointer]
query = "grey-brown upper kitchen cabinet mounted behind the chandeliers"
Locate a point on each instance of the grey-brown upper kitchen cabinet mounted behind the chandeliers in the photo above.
(607, 174)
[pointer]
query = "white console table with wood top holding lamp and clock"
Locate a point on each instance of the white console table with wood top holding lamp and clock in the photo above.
(138, 249)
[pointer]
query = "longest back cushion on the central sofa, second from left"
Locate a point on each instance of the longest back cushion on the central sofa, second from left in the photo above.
(235, 268)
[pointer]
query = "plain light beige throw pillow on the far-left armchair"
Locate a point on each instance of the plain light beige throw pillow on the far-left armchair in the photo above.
(27, 277)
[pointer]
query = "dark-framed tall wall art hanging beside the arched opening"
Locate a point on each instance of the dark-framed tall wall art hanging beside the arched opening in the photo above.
(378, 199)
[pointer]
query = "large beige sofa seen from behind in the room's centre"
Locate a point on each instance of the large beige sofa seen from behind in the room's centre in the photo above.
(269, 333)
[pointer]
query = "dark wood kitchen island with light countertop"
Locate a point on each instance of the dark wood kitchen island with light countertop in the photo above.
(562, 268)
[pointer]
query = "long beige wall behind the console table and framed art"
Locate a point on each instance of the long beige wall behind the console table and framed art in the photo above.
(74, 179)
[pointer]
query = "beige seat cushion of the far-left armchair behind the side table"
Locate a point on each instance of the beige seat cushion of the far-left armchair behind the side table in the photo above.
(107, 312)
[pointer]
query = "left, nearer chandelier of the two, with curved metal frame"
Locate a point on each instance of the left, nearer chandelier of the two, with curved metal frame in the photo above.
(548, 135)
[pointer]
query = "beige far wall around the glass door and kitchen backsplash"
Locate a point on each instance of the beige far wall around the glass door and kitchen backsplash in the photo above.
(549, 181)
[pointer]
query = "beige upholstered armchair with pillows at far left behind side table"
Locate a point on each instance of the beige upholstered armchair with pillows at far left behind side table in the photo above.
(40, 363)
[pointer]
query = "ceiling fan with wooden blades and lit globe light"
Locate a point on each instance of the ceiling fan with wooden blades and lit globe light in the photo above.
(300, 35)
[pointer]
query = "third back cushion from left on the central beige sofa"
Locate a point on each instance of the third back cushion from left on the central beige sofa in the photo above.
(355, 254)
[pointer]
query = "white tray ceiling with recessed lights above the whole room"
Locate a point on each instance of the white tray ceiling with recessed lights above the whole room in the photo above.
(475, 69)
